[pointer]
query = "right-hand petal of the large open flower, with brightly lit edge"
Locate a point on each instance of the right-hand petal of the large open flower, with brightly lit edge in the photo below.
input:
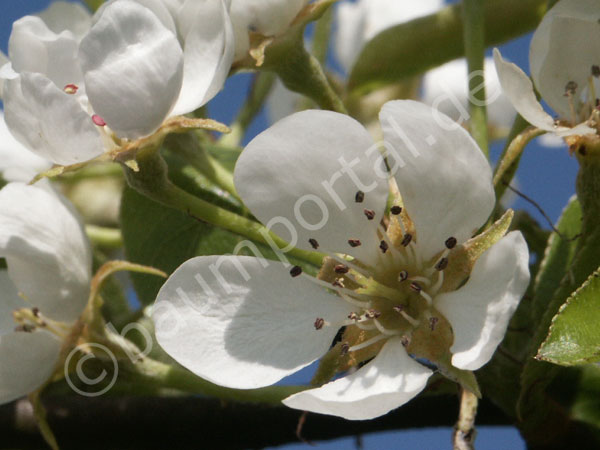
(479, 311)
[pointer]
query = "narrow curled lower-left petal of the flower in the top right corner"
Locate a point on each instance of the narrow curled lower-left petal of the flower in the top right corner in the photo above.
(519, 89)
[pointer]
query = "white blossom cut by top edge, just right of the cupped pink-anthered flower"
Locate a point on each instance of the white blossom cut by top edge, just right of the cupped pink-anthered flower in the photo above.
(267, 17)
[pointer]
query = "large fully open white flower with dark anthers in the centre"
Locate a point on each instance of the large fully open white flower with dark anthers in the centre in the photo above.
(316, 179)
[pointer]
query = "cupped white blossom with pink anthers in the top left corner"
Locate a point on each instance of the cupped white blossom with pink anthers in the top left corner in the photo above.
(137, 65)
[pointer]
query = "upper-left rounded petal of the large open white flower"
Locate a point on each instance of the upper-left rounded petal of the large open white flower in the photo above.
(291, 178)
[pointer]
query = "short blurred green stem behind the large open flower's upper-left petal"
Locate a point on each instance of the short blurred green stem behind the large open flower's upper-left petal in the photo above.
(261, 87)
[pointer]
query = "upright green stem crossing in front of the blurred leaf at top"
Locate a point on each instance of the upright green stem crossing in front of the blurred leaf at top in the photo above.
(474, 41)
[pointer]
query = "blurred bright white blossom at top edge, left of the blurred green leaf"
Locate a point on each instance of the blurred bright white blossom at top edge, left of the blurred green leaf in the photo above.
(358, 22)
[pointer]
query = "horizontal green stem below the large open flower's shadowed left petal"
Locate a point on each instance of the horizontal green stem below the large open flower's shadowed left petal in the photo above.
(151, 373)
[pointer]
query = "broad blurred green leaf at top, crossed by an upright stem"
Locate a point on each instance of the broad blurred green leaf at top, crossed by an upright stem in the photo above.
(412, 48)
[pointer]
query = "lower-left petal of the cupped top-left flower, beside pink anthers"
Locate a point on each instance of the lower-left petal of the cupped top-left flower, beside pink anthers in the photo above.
(48, 121)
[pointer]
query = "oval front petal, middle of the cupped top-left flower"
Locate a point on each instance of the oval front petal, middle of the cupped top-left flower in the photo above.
(133, 69)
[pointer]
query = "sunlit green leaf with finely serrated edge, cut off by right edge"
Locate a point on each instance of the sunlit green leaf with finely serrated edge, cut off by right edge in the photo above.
(574, 336)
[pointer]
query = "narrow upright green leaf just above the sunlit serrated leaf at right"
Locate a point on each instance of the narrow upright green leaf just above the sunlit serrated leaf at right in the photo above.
(558, 256)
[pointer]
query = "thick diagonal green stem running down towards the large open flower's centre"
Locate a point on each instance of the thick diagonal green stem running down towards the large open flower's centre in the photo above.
(151, 180)
